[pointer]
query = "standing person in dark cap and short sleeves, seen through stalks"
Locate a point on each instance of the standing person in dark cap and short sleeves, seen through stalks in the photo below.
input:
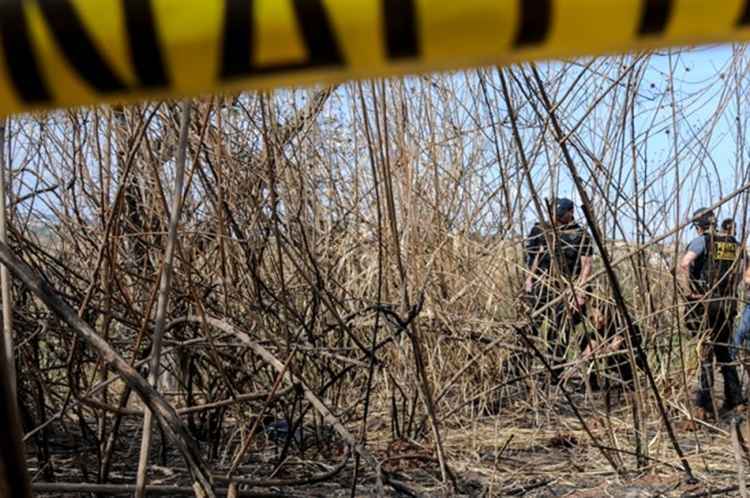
(558, 258)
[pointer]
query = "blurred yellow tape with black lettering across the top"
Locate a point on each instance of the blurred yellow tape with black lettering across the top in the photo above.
(61, 53)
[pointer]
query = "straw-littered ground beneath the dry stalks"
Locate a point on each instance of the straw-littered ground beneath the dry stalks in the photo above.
(519, 450)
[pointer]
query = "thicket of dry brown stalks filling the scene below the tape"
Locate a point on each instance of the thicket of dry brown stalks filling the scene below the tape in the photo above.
(328, 302)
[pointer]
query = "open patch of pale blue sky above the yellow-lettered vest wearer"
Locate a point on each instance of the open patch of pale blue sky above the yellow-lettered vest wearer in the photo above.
(702, 137)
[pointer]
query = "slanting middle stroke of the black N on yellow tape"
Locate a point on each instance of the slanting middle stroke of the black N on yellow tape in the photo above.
(78, 47)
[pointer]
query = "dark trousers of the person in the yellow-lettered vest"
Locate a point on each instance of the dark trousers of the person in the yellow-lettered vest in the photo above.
(717, 320)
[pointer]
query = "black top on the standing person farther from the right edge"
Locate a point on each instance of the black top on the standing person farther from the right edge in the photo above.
(569, 244)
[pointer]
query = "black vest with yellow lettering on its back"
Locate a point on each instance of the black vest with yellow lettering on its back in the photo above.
(717, 269)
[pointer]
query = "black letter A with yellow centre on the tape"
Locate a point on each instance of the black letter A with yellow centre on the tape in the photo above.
(239, 39)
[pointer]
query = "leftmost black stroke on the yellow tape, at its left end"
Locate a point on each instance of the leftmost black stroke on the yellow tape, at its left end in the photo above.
(23, 67)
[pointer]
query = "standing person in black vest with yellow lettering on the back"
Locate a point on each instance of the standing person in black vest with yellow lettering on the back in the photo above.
(708, 274)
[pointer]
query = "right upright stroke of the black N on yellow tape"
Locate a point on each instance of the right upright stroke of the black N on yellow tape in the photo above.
(145, 49)
